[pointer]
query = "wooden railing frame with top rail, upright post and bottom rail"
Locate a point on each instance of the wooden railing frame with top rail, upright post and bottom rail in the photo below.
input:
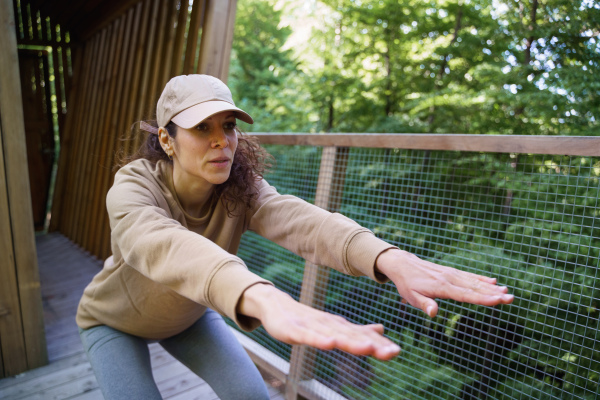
(297, 373)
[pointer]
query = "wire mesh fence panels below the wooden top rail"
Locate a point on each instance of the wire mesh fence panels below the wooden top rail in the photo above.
(529, 220)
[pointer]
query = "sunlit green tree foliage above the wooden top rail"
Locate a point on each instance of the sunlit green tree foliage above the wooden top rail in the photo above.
(485, 67)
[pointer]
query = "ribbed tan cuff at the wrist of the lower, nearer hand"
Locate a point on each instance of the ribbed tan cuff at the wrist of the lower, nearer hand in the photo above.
(226, 289)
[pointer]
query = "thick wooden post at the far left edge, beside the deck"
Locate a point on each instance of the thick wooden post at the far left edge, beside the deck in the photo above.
(22, 341)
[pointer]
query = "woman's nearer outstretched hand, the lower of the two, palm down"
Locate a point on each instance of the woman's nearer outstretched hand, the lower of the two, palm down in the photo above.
(294, 323)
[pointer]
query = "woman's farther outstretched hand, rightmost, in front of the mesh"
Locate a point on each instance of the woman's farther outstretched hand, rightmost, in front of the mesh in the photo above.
(419, 282)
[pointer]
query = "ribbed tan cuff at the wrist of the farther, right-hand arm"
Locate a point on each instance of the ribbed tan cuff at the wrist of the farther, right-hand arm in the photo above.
(363, 250)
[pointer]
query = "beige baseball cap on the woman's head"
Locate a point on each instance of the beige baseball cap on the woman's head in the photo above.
(188, 100)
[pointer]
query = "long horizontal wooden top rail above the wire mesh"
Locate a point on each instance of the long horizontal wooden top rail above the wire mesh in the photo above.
(558, 145)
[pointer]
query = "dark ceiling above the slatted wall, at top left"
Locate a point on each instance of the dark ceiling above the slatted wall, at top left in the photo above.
(81, 18)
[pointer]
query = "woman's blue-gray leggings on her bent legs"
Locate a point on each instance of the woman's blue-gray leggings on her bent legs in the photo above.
(121, 361)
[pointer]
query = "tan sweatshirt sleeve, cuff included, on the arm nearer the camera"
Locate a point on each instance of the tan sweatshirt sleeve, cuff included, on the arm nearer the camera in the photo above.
(159, 247)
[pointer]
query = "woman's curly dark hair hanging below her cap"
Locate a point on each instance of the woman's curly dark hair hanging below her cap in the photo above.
(250, 163)
